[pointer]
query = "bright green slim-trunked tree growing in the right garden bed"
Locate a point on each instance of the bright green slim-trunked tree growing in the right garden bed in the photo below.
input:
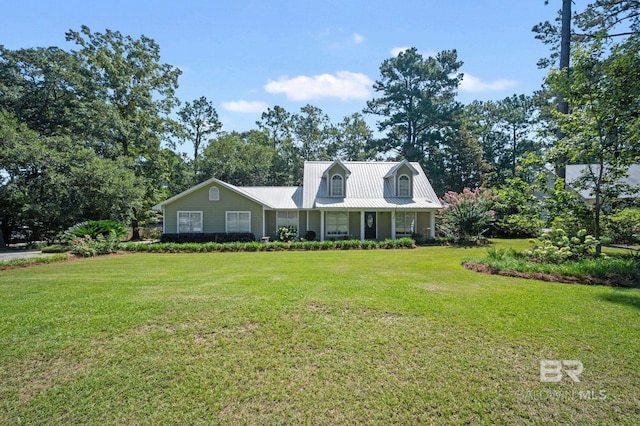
(603, 125)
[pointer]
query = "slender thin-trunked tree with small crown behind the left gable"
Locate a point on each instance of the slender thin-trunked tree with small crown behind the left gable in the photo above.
(199, 119)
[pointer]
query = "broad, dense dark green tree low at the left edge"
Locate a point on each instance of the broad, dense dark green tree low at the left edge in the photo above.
(50, 183)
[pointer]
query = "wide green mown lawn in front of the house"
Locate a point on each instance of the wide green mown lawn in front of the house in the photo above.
(335, 337)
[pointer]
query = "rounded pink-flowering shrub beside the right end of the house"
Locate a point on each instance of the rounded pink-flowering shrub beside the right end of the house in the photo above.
(467, 214)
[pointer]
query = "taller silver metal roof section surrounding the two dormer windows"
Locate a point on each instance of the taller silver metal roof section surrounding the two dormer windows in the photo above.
(366, 187)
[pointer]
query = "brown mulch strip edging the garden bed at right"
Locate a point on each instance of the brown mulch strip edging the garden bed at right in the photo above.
(583, 279)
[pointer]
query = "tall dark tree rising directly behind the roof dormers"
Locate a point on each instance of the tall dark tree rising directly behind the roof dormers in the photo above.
(417, 101)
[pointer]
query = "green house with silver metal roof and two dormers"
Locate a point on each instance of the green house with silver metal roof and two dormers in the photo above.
(350, 199)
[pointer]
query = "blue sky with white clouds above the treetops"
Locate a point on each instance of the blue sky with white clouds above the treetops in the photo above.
(246, 56)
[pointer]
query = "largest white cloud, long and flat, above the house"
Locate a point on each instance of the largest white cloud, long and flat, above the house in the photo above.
(344, 85)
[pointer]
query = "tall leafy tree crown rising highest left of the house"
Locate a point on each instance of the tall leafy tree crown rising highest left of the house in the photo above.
(136, 91)
